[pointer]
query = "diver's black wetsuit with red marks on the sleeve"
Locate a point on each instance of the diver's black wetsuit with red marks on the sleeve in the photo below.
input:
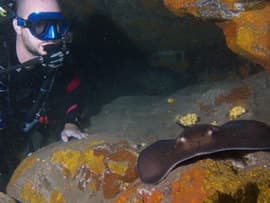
(21, 90)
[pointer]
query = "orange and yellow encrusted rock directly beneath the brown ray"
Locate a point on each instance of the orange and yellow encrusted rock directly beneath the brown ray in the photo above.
(209, 180)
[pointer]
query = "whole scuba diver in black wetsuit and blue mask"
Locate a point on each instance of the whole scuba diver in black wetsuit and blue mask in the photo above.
(31, 60)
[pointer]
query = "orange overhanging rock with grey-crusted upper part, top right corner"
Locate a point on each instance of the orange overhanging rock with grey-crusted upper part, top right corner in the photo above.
(245, 24)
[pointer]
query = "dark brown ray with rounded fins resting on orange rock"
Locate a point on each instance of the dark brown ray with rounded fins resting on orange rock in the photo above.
(159, 158)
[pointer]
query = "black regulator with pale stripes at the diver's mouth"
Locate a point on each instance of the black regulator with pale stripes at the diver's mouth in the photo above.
(54, 60)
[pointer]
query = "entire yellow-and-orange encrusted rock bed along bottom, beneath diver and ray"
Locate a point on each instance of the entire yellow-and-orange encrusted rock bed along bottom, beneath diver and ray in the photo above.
(96, 171)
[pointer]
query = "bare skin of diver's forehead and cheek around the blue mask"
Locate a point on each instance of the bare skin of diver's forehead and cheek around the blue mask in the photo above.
(32, 44)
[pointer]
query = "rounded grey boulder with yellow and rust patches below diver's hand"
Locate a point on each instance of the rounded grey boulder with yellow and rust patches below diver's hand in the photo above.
(88, 170)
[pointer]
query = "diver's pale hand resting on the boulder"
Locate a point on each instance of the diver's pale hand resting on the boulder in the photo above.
(71, 130)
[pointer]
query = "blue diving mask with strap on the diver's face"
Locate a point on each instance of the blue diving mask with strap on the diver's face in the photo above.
(45, 25)
